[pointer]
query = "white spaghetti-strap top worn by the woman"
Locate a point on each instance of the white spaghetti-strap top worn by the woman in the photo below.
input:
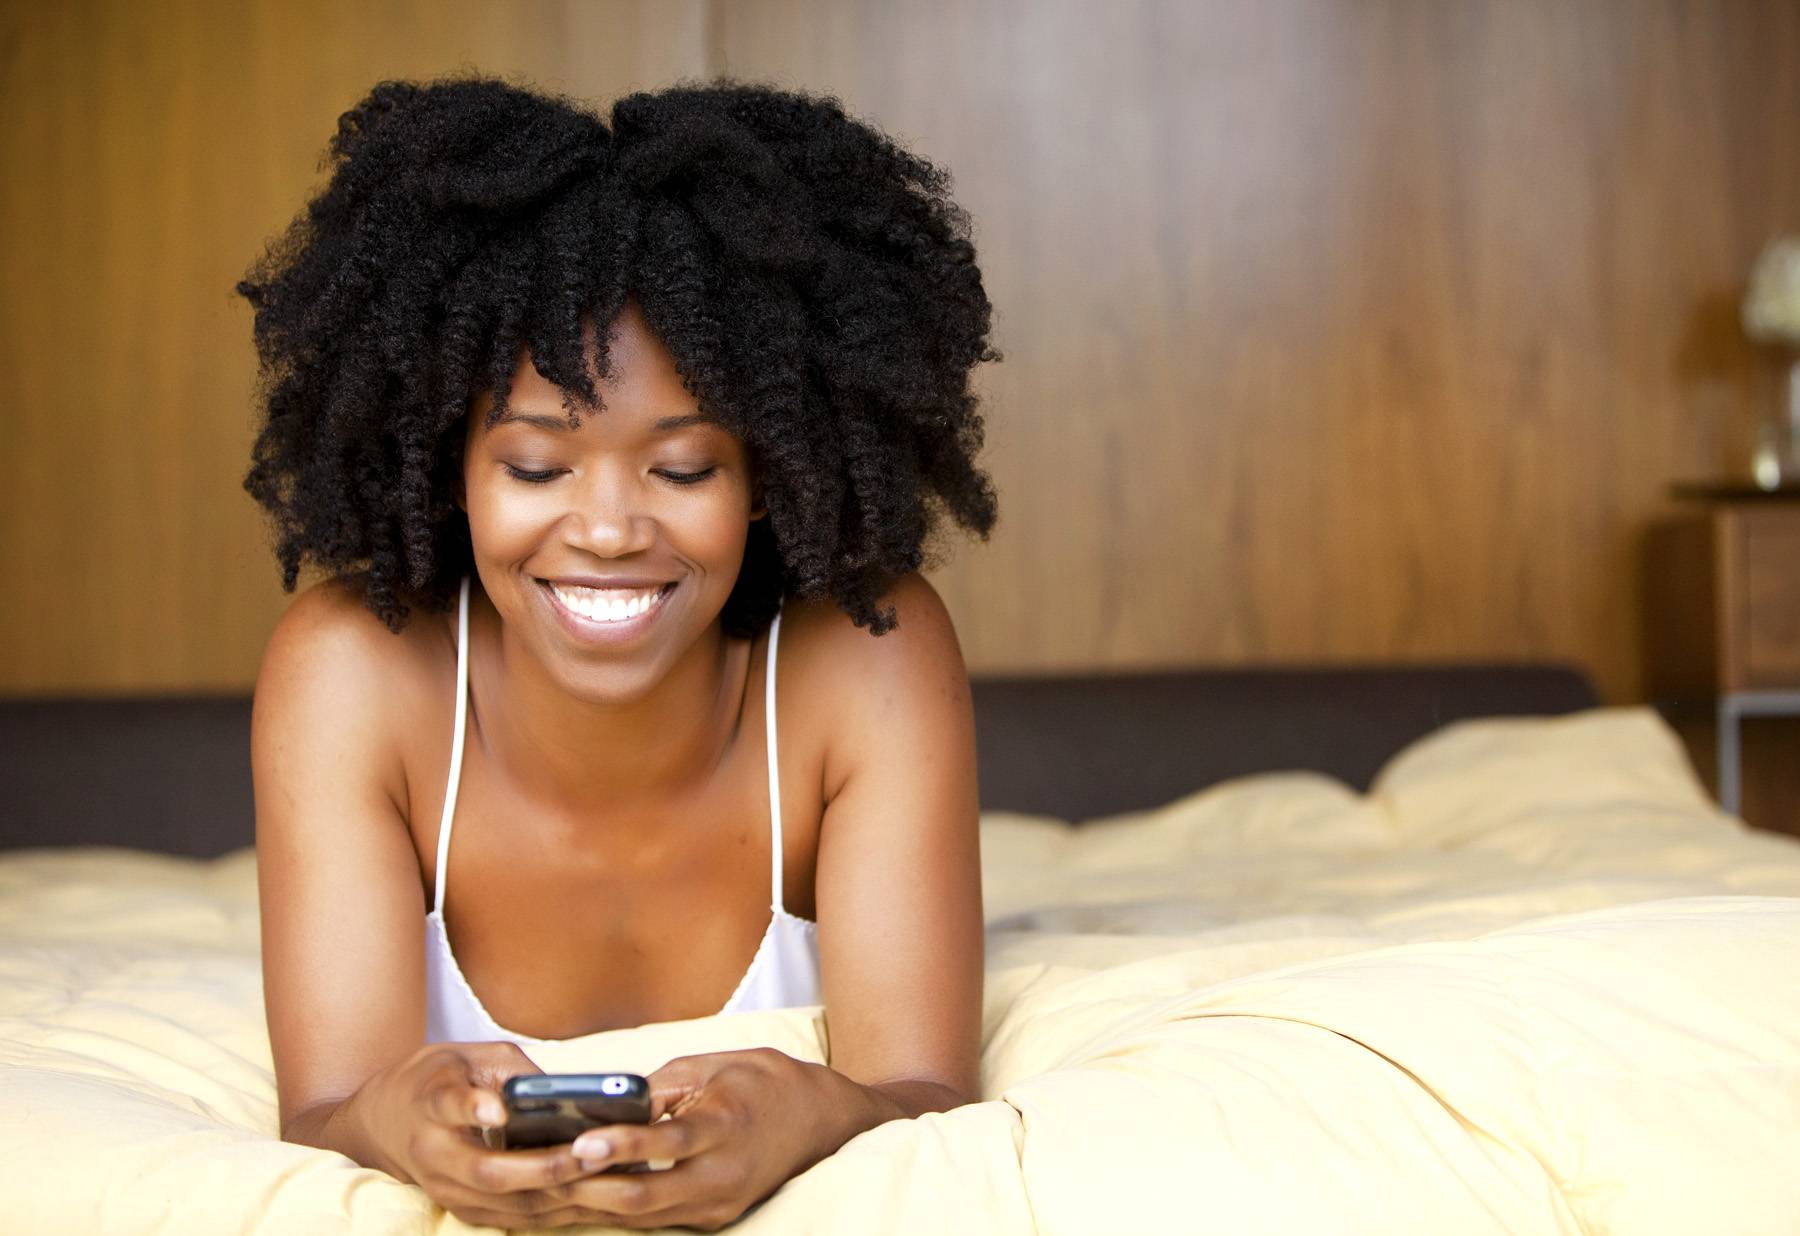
(784, 972)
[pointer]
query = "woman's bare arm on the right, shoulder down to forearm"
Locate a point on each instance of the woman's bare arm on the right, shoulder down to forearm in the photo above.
(899, 881)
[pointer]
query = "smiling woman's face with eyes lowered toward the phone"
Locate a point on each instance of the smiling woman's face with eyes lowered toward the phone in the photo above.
(609, 548)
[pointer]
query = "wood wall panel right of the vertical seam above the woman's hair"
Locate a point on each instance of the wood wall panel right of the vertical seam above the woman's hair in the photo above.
(1335, 330)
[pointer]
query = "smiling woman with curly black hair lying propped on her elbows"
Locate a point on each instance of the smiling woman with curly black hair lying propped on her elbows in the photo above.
(620, 447)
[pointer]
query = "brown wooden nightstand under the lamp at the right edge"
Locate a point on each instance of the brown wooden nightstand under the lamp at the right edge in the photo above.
(1723, 625)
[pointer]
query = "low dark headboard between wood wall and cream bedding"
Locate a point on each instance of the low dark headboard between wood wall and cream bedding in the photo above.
(174, 773)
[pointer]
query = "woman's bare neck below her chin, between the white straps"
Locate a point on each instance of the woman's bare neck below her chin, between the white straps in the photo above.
(575, 757)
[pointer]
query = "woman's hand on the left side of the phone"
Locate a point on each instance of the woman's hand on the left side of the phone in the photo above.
(422, 1120)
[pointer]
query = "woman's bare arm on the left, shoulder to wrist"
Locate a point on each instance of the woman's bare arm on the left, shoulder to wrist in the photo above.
(341, 902)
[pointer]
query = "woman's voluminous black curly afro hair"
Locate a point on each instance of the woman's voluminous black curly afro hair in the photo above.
(814, 283)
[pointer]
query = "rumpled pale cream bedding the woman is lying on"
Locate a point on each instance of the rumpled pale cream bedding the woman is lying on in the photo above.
(1533, 983)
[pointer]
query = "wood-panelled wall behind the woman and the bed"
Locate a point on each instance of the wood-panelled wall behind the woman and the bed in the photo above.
(1336, 330)
